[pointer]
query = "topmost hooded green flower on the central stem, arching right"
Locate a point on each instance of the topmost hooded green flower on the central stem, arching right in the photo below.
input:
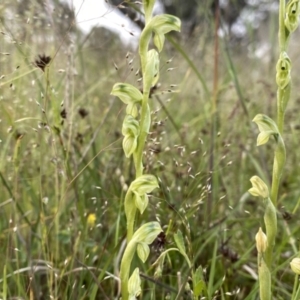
(161, 25)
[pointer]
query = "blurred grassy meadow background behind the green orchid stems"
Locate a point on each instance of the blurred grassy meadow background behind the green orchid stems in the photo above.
(63, 172)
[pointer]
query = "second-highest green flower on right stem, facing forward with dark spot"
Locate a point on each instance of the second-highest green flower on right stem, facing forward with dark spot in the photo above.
(283, 70)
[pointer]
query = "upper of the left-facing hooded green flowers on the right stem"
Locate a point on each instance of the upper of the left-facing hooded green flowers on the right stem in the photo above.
(267, 128)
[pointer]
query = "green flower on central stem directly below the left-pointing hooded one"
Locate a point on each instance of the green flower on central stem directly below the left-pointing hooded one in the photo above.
(130, 130)
